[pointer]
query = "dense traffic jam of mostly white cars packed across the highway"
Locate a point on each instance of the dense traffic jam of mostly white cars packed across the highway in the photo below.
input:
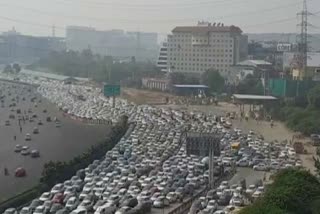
(149, 169)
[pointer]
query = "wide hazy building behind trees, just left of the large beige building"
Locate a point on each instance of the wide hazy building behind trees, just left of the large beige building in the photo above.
(117, 43)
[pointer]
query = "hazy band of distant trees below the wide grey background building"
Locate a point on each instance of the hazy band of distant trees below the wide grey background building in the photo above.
(93, 66)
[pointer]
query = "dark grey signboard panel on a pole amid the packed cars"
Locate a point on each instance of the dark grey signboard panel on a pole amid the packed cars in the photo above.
(201, 144)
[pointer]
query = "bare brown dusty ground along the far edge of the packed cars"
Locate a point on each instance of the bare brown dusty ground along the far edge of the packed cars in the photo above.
(278, 132)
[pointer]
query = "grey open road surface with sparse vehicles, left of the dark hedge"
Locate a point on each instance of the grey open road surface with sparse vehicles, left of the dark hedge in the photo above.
(63, 143)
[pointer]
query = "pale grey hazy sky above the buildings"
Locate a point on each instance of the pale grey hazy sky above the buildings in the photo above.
(37, 16)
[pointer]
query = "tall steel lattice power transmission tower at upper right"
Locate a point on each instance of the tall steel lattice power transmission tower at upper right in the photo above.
(303, 38)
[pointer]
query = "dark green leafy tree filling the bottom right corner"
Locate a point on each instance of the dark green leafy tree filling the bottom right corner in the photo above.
(293, 191)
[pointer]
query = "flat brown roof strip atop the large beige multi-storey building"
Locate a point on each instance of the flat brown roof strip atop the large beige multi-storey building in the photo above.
(206, 29)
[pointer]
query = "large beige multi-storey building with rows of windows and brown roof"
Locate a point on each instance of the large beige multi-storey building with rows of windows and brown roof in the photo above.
(195, 49)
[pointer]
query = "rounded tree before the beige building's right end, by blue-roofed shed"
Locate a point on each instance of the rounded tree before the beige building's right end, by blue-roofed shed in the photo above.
(214, 80)
